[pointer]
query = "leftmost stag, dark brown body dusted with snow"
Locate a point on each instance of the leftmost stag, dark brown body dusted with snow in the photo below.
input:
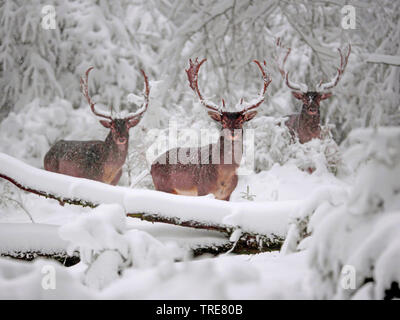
(97, 160)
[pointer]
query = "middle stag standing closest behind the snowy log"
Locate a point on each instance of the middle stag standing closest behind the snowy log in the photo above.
(212, 168)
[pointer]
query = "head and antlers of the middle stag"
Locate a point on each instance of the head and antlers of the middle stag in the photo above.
(232, 122)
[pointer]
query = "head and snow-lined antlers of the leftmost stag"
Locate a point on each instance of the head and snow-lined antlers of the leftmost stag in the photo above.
(119, 126)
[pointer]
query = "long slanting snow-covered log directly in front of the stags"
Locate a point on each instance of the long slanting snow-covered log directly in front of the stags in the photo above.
(261, 224)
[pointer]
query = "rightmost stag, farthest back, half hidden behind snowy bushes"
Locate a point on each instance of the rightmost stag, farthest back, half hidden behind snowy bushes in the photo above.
(306, 124)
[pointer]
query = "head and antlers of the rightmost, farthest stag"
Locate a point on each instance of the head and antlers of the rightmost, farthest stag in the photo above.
(311, 99)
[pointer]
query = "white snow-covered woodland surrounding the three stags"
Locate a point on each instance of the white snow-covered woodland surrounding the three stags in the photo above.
(343, 216)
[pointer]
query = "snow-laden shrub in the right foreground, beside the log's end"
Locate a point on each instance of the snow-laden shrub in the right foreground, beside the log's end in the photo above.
(360, 230)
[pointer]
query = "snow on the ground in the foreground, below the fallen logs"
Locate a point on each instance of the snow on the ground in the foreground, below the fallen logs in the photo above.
(261, 276)
